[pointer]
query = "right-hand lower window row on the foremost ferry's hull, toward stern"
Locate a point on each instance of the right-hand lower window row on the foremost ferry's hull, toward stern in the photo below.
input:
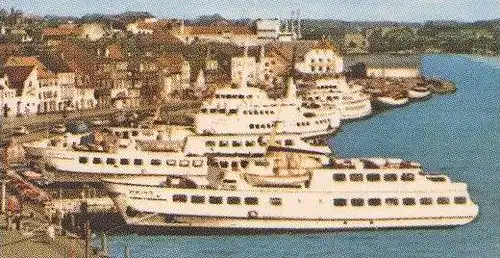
(408, 201)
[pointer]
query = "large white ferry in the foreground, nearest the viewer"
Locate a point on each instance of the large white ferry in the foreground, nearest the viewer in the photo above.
(264, 196)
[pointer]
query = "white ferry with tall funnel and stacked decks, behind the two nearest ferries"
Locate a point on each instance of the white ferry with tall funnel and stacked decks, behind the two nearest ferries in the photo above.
(249, 110)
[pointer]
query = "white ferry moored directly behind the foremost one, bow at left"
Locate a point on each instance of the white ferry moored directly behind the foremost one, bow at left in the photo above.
(148, 152)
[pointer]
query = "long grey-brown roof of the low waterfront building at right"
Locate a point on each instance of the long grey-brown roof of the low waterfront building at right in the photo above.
(384, 61)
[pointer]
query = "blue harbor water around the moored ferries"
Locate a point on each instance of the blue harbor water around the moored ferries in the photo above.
(456, 134)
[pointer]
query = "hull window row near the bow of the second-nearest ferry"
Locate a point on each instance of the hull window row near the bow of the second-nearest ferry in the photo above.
(140, 162)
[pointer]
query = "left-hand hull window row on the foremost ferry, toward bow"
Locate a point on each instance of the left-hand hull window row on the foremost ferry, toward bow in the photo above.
(232, 200)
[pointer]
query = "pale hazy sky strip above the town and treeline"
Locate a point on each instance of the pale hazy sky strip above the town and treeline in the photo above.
(349, 10)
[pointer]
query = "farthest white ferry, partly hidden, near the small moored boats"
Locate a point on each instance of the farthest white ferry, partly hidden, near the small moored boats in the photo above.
(333, 89)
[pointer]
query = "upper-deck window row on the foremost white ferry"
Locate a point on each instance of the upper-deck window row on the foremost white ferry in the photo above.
(373, 177)
